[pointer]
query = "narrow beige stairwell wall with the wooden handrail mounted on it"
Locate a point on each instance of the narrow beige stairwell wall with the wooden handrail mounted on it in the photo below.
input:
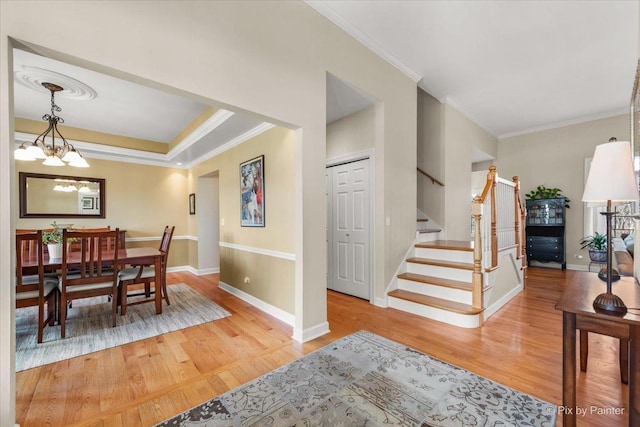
(431, 152)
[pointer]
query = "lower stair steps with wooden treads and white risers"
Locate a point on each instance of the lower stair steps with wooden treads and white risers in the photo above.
(437, 283)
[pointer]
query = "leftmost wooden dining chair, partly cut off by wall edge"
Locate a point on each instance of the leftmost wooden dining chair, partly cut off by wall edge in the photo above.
(33, 286)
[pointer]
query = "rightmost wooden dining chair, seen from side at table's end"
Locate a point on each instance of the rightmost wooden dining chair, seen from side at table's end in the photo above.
(145, 274)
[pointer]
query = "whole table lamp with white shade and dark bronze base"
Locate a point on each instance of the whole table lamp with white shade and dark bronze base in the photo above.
(611, 179)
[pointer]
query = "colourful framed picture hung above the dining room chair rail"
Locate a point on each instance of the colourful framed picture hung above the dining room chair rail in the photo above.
(252, 193)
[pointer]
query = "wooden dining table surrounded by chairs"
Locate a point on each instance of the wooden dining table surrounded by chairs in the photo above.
(126, 256)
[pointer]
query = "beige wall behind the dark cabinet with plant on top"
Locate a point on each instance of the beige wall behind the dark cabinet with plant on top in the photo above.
(555, 158)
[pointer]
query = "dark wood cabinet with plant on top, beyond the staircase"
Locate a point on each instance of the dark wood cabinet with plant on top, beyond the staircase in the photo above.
(545, 231)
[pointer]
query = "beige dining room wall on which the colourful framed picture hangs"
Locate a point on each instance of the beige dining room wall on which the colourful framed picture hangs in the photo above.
(272, 278)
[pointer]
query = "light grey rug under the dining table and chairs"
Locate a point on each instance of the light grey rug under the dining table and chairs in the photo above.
(89, 326)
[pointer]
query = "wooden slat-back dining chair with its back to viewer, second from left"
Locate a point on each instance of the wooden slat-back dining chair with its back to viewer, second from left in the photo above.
(91, 271)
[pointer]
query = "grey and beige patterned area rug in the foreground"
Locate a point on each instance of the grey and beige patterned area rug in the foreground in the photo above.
(364, 379)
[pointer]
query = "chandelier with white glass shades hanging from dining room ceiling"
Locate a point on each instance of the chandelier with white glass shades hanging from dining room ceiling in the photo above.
(53, 155)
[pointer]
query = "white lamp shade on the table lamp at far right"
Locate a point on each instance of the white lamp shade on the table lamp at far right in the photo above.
(611, 176)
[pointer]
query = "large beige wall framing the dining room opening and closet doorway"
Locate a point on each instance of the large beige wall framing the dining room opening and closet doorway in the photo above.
(268, 58)
